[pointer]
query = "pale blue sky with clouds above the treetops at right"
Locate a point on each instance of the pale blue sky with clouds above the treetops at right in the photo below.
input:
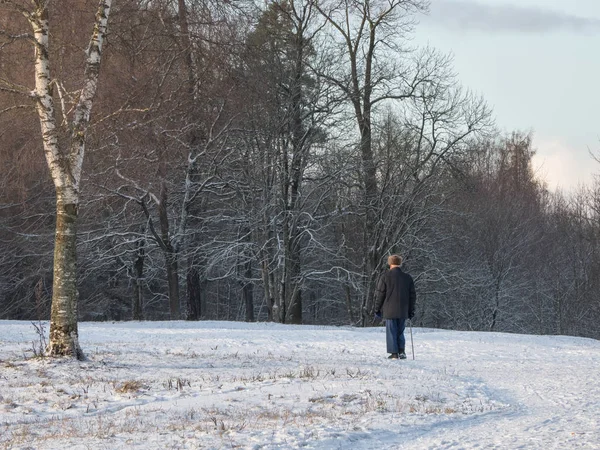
(537, 64)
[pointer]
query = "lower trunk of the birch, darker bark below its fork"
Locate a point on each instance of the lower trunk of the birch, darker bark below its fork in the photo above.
(64, 336)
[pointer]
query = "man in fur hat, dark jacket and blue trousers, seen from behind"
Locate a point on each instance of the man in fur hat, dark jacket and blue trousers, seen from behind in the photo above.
(395, 302)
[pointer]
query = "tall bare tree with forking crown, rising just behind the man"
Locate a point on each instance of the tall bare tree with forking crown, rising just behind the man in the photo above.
(369, 66)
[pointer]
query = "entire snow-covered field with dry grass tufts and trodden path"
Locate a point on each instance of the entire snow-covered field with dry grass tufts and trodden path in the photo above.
(158, 385)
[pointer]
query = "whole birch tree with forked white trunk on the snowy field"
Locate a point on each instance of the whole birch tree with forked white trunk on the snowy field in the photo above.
(64, 158)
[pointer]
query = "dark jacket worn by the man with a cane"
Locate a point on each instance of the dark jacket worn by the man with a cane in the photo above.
(395, 295)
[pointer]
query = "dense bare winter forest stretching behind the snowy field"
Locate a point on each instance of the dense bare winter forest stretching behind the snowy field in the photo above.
(258, 161)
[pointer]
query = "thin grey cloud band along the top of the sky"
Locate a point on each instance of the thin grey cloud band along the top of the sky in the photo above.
(473, 15)
